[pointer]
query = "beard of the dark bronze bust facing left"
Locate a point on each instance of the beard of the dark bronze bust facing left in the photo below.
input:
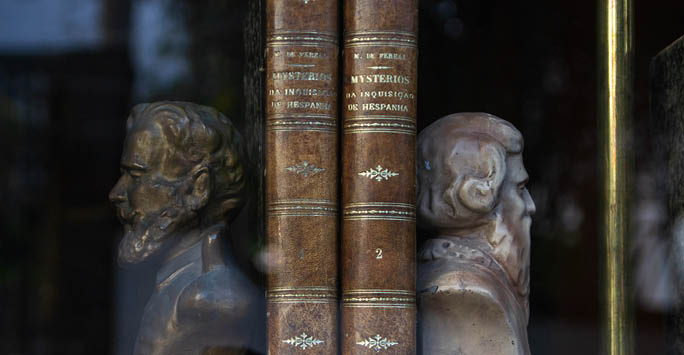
(148, 234)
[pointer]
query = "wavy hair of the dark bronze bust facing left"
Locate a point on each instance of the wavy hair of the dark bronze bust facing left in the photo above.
(203, 137)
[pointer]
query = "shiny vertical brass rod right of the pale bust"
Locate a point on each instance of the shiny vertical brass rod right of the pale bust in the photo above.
(615, 114)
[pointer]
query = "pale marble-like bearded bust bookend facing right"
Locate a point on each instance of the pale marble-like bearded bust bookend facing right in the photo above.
(474, 275)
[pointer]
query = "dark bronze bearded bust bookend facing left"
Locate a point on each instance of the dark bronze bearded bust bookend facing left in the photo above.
(182, 184)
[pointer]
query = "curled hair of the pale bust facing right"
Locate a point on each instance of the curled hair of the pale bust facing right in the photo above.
(461, 167)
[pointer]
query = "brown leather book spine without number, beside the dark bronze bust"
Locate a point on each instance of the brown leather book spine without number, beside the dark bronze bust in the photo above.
(301, 195)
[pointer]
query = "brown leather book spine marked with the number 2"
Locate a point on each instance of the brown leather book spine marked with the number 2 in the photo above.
(378, 176)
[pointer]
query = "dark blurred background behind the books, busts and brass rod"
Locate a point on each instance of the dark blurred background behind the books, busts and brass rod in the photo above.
(70, 70)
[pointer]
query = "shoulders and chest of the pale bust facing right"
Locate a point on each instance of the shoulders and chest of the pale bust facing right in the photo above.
(467, 300)
